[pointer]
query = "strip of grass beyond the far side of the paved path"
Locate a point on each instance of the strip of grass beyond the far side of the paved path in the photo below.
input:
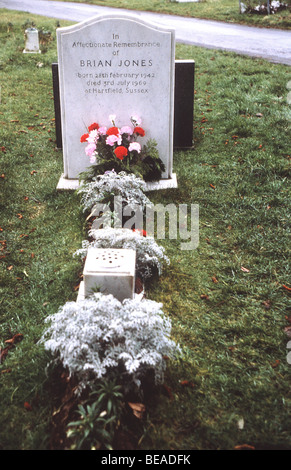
(219, 10)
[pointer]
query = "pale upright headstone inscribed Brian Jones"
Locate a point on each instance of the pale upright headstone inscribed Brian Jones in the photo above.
(115, 65)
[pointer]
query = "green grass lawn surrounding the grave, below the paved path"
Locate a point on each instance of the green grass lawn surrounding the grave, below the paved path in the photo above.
(227, 299)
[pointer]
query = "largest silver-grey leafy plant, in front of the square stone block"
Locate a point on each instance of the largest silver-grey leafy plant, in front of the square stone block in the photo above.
(100, 335)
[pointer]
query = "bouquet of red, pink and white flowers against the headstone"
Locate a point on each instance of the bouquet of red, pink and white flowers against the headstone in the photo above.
(119, 148)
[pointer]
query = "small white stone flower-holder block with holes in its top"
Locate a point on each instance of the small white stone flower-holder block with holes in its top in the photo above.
(112, 271)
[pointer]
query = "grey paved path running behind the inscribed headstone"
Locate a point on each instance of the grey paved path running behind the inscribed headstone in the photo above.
(270, 44)
